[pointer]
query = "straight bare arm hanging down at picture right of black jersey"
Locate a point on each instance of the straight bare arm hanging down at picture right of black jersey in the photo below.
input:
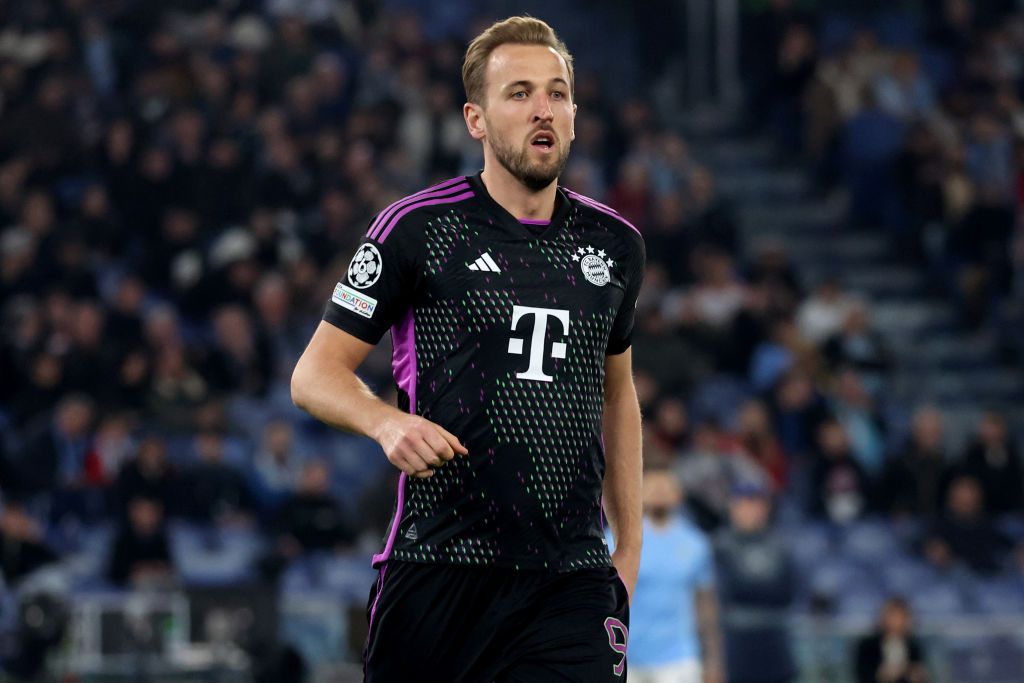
(624, 465)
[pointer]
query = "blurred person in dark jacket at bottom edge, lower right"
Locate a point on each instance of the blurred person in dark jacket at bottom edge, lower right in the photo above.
(892, 654)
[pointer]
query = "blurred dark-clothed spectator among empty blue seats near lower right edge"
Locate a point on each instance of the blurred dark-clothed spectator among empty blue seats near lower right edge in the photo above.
(964, 534)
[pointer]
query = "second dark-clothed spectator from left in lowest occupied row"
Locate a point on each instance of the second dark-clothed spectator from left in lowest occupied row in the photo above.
(142, 556)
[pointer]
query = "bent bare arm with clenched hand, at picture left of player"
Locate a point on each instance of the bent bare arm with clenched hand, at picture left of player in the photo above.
(325, 386)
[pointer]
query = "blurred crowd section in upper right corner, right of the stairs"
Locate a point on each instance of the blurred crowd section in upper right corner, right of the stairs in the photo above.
(921, 118)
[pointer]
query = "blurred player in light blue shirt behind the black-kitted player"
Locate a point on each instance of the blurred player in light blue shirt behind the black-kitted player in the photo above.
(675, 636)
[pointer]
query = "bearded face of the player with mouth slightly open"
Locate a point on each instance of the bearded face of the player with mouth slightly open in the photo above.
(529, 113)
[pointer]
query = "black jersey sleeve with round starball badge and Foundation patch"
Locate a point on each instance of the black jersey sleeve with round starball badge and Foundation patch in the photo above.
(377, 289)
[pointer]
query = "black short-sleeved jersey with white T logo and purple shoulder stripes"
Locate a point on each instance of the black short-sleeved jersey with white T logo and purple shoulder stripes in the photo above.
(500, 333)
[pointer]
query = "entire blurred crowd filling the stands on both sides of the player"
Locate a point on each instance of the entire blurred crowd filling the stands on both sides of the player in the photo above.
(182, 185)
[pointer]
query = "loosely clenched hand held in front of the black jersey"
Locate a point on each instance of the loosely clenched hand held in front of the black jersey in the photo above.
(417, 447)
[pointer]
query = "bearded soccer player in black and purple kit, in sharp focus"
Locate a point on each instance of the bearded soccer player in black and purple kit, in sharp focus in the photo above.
(510, 303)
